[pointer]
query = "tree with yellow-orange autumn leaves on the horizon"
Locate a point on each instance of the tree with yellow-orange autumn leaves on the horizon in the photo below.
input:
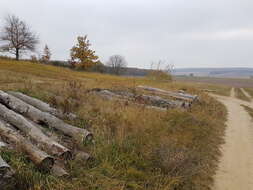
(82, 55)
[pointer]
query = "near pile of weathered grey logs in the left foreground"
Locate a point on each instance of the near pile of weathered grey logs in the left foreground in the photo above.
(24, 122)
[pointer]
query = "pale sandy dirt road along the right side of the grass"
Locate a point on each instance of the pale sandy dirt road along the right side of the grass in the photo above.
(235, 170)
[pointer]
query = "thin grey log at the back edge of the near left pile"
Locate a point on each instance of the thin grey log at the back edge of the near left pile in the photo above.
(42, 105)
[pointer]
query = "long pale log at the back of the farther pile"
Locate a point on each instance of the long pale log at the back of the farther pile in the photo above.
(180, 95)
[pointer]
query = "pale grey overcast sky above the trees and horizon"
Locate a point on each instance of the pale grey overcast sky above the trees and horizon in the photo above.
(187, 33)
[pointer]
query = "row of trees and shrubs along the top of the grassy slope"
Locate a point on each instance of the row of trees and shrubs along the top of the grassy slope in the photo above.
(17, 38)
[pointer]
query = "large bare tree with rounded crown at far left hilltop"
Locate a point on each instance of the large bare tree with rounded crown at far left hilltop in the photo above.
(17, 37)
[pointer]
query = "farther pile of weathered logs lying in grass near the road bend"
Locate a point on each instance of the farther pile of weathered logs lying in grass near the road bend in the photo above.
(173, 99)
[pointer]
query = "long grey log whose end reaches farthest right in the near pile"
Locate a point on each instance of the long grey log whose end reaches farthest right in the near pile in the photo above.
(38, 116)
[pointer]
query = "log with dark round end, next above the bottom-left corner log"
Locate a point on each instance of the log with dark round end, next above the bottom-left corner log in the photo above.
(38, 157)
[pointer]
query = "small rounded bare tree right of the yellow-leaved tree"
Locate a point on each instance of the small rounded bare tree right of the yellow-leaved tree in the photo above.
(117, 64)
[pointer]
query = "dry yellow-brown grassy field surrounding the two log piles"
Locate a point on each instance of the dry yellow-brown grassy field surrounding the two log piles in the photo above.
(135, 147)
